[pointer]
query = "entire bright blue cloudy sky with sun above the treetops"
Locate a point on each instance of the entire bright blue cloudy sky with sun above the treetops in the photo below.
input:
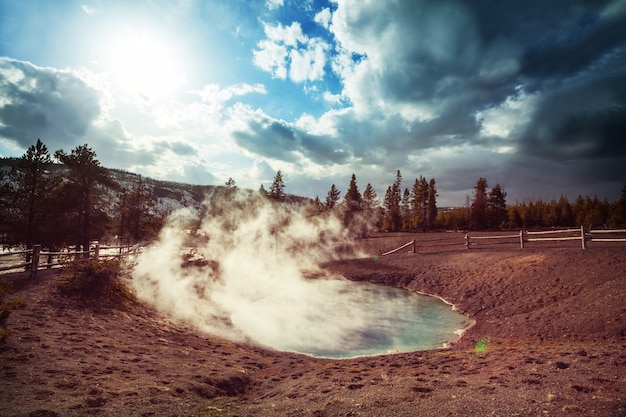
(530, 95)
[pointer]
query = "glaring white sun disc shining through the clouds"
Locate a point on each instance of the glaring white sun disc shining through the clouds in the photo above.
(144, 64)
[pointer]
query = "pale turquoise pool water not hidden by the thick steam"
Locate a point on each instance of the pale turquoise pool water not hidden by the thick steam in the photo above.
(381, 319)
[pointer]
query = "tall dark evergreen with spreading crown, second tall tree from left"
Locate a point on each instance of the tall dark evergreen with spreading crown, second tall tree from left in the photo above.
(81, 187)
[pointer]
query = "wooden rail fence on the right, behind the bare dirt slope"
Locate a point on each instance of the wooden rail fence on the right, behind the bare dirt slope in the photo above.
(521, 238)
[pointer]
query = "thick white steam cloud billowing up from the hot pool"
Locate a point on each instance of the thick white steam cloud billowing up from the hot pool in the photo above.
(246, 269)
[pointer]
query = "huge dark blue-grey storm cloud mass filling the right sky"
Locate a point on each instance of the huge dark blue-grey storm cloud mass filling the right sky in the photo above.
(462, 58)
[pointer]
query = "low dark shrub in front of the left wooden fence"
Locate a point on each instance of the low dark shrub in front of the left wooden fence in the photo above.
(95, 281)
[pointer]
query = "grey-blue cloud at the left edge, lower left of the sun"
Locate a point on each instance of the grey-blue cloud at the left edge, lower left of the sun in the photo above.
(44, 103)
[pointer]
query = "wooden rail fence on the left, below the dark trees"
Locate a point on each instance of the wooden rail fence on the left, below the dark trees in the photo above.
(34, 257)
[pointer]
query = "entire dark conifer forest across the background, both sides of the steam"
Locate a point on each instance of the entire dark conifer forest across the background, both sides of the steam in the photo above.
(70, 199)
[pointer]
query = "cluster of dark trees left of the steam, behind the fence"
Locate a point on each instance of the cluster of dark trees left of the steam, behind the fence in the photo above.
(70, 206)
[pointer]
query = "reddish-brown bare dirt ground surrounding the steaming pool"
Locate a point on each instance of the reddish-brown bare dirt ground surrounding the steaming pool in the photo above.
(549, 340)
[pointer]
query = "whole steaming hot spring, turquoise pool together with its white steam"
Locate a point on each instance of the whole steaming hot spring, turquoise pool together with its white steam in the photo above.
(245, 274)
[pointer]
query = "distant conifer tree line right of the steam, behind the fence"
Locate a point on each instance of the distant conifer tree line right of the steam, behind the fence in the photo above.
(415, 209)
